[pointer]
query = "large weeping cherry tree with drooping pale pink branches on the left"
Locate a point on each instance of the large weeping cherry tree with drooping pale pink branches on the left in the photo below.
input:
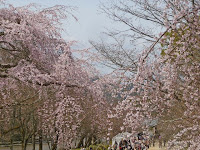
(33, 54)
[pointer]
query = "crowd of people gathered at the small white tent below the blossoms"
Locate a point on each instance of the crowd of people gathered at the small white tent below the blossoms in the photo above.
(140, 142)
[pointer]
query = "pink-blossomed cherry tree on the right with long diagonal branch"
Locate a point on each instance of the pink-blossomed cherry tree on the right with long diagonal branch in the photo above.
(165, 81)
